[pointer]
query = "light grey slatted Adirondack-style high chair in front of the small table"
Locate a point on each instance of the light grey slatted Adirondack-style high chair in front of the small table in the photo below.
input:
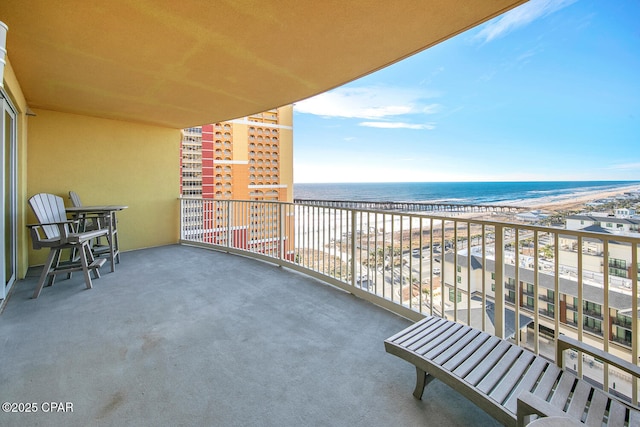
(57, 233)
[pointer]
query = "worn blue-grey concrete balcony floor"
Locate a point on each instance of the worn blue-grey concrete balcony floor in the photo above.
(182, 336)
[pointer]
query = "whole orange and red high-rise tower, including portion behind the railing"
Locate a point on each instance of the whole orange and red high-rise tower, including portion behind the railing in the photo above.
(248, 159)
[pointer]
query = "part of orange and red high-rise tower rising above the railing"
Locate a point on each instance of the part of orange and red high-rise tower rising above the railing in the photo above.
(244, 159)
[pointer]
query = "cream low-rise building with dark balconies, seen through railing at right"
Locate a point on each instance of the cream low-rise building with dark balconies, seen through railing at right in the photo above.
(529, 296)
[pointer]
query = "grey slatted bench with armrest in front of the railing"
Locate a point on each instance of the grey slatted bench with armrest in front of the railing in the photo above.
(507, 381)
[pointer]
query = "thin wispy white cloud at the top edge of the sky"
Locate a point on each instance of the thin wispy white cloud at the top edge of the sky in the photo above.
(520, 16)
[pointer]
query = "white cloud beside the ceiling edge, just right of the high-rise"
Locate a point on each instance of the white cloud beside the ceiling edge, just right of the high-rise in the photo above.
(367, 103)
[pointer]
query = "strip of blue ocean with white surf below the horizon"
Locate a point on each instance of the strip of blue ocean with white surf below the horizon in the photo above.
(478, 193)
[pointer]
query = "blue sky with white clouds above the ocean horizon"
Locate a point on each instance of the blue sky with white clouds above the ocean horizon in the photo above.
(549, 91)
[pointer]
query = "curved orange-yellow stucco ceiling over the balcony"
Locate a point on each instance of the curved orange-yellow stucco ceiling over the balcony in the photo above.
(189, 62)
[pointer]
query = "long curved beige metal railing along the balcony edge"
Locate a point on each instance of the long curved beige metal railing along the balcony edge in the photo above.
(520, 282)
